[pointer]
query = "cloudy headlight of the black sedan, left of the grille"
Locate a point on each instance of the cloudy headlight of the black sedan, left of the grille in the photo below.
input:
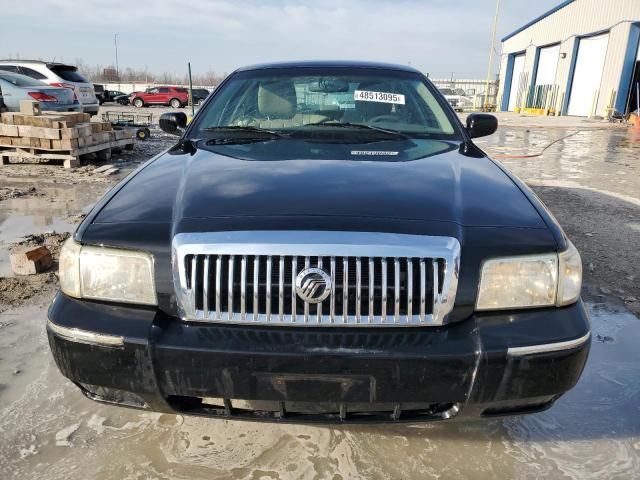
(109, 274)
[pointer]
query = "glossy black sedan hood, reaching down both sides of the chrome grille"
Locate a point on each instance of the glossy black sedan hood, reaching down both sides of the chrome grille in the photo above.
(422, 188)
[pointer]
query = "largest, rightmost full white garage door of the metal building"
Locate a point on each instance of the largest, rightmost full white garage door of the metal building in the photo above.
(587, 74)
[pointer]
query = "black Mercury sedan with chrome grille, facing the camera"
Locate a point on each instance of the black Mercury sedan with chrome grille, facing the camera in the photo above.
(325, 243)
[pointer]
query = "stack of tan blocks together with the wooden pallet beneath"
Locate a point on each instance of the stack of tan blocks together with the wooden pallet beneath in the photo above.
(52, 134)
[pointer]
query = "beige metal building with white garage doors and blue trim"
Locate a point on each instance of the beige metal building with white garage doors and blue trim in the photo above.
(581, 58)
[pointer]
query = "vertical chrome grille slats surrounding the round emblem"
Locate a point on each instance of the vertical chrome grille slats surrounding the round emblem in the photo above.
(389, 290)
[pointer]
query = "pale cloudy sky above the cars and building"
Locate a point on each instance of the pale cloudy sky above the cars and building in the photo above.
(439, 37)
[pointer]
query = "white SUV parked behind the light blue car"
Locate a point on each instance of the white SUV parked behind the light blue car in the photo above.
(57, 75)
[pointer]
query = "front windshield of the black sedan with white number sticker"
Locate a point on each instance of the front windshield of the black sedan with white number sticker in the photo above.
(305, 101)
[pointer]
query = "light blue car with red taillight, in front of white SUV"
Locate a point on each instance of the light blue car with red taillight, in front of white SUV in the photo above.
(16, 87)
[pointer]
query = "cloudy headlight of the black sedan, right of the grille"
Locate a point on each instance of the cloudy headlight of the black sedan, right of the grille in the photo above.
(530, 281)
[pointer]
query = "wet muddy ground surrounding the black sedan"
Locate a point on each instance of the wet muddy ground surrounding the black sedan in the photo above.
(591, 183)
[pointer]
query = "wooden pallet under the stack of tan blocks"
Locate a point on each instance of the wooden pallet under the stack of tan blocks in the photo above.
(70, 158)
